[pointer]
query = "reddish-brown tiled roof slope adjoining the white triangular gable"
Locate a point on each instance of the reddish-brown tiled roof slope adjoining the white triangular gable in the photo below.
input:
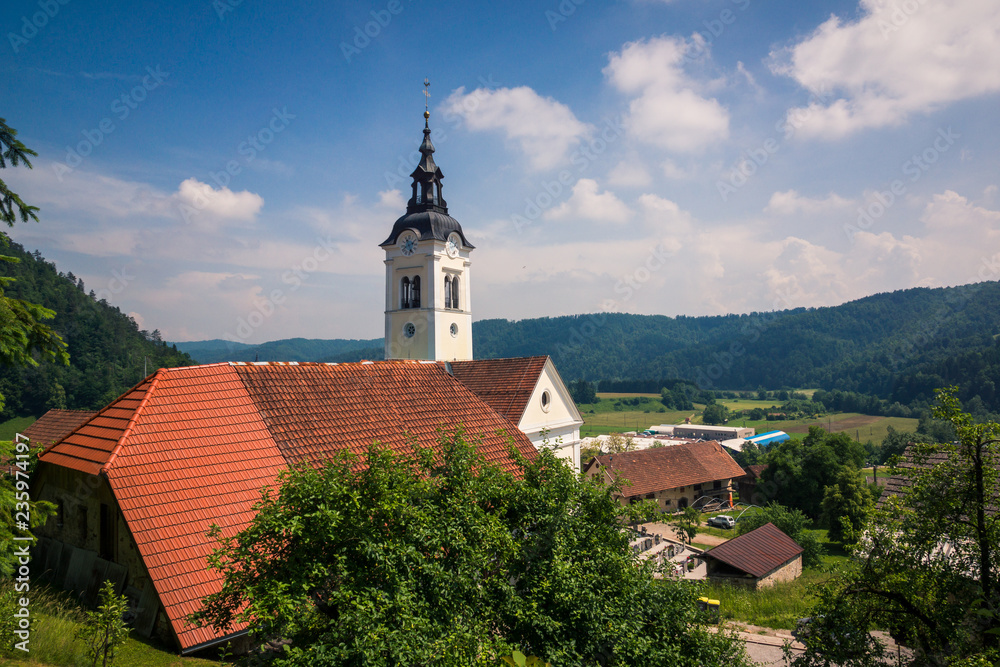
(505, 384)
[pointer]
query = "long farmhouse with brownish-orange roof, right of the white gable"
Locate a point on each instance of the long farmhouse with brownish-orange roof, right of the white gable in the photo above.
(674, 476)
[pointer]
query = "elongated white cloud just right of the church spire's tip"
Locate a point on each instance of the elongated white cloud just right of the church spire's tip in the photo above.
(543, 128)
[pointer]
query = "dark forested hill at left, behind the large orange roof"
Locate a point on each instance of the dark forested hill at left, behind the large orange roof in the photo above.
(107, 350)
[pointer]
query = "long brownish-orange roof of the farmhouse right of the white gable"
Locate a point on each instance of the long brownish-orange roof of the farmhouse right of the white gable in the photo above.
(670, 467)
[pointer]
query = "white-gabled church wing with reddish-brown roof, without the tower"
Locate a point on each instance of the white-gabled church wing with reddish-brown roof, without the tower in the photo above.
(530, 392)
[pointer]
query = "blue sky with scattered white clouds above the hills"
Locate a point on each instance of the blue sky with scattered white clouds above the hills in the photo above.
(200, 162)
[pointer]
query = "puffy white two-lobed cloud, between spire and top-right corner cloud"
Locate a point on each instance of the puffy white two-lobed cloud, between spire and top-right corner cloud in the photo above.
(668, 110)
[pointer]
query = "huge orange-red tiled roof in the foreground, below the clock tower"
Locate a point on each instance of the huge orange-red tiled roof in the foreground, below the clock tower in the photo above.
(189, 447)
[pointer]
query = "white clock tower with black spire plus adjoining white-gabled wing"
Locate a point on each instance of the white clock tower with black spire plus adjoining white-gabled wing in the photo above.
(428, 316)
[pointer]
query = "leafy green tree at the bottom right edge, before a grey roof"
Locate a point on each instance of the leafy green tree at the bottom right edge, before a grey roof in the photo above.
(927, 565)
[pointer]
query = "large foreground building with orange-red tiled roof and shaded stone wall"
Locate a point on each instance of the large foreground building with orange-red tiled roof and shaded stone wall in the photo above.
(139, 484)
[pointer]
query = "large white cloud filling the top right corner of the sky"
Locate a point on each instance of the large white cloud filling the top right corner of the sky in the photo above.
(897, 59)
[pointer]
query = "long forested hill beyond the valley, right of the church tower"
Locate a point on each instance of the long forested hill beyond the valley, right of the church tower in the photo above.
(899, 346)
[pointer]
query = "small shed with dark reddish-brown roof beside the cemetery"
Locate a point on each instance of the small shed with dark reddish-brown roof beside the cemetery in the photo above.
(757, 559)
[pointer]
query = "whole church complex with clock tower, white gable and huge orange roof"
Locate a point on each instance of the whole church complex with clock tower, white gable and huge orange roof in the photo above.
(138, 484)
